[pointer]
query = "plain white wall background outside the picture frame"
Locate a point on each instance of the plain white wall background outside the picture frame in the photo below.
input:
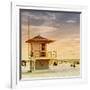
(5, 46)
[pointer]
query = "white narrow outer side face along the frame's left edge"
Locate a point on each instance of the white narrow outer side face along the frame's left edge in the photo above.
(13, 46)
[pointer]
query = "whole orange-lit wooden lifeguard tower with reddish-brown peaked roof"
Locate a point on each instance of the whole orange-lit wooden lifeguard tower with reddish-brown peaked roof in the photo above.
(38, 57)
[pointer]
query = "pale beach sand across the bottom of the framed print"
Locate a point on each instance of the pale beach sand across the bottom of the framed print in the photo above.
(61, 71)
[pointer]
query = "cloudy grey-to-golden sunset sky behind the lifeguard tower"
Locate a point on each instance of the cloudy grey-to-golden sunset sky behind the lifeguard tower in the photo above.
(63, 27)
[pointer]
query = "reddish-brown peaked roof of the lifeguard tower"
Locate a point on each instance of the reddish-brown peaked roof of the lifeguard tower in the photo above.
(39, 39)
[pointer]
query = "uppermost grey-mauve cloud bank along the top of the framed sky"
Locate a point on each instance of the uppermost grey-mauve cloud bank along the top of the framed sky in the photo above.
(49, 18)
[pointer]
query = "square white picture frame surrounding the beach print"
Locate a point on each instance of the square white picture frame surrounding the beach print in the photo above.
(15, 6)
